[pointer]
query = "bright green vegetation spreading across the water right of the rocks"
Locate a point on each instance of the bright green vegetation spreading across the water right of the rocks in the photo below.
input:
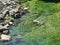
(47, 34)
